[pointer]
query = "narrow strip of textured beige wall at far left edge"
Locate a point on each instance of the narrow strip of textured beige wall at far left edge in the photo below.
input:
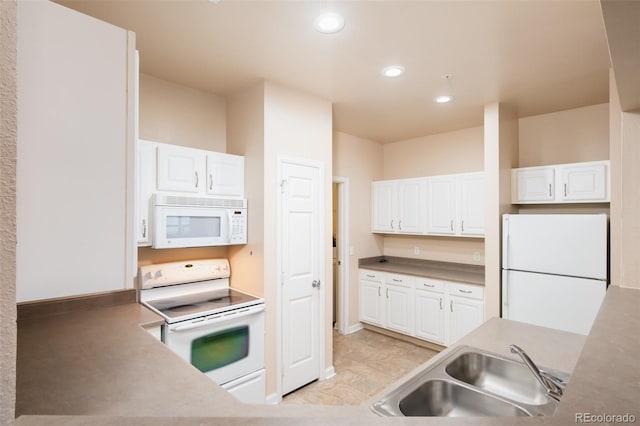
(8, 140)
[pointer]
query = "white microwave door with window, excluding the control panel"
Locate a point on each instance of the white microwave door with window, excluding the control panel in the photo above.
(190, 226)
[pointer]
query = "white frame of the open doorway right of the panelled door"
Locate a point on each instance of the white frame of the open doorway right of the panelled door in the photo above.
(343, 253)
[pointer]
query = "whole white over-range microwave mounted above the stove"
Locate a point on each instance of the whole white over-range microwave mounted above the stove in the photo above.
(184, 221)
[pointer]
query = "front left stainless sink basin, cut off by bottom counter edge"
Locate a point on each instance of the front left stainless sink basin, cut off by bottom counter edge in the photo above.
(449, 399)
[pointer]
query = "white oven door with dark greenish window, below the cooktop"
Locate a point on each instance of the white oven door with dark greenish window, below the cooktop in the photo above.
(223, 346)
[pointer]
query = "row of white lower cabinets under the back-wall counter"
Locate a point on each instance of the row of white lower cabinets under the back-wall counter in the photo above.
(438, 311)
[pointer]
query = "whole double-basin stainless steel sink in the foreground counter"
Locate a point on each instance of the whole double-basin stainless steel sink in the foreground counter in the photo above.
(470, 382)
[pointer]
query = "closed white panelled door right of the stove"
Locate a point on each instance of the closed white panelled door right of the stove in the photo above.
(302, 268)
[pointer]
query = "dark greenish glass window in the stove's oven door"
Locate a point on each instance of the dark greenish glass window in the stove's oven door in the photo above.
(219, 349)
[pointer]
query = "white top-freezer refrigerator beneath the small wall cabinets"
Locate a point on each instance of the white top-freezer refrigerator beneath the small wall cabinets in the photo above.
(554, 269)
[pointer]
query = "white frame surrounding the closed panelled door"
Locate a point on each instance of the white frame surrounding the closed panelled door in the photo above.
(322, 374)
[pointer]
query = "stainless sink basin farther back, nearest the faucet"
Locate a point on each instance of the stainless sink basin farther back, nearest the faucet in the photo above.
(507, 378)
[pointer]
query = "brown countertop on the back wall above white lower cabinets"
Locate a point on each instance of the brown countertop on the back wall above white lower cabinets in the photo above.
(457, 272)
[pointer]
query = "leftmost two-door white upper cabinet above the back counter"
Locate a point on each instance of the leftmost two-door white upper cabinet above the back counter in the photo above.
(397, 206)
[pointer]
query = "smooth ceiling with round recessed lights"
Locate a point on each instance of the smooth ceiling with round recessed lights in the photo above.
(539, 56)
